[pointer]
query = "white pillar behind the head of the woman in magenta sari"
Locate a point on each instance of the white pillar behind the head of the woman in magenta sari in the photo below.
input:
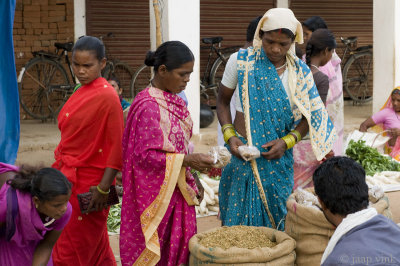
(180, 20)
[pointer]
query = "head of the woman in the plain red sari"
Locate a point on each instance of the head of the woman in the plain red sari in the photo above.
(88, 59)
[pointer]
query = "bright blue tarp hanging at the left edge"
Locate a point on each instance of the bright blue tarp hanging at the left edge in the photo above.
(9, 102)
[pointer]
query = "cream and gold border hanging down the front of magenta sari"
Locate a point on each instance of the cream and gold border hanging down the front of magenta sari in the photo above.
(154, 213)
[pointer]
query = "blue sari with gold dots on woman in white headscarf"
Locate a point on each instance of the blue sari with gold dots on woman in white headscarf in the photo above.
(270, 117)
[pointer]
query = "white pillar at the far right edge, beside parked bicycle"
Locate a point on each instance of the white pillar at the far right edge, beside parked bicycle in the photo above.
(386, 29)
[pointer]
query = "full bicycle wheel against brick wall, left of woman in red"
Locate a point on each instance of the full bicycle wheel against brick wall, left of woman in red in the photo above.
(43, 88)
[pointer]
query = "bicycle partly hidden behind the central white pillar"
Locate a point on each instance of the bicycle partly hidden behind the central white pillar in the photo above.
(210, 78)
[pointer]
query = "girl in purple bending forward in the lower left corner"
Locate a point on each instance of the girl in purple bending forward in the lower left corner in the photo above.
(34, 209)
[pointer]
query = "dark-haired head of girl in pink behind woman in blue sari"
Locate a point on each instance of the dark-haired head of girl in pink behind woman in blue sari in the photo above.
(322, 43)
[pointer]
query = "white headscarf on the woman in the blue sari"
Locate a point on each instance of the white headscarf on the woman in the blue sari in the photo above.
(279, 18)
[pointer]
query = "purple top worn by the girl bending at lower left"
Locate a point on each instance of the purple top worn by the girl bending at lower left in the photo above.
(30, 229)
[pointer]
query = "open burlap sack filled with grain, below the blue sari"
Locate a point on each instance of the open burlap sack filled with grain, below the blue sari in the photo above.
(242, 245)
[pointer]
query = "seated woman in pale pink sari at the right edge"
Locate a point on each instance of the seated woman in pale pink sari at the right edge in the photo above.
(388, 118)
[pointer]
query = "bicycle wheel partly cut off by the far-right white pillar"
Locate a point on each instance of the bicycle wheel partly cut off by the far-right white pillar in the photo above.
(357, 77)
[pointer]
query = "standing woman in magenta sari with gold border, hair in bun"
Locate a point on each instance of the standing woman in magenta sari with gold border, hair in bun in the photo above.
(158, 217)
